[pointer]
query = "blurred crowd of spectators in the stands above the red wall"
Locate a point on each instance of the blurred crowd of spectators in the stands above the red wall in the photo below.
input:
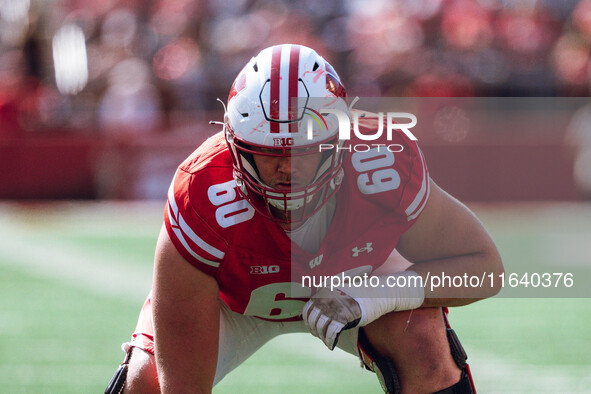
(138, 66)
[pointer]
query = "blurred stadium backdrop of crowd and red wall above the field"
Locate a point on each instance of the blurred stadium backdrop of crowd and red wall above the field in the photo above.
(104, 99)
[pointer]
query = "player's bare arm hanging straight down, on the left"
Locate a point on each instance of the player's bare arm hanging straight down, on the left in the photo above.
(186, 322)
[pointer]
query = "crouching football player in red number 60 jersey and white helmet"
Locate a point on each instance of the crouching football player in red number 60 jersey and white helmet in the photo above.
(258, 207)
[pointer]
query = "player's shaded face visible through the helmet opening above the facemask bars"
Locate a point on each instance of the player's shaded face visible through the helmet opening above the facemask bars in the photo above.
(287, 173)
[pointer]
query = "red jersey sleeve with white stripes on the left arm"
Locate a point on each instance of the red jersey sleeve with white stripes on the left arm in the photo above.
(190, 234)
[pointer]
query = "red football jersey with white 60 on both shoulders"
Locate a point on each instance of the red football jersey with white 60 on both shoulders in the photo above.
(257, 266)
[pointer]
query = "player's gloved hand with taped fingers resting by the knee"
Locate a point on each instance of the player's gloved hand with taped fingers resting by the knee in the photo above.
(328, 313)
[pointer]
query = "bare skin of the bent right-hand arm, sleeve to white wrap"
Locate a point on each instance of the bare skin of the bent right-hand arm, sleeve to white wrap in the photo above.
(447, 239)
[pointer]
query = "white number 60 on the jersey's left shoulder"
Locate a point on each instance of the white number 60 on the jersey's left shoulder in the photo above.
(231, 209)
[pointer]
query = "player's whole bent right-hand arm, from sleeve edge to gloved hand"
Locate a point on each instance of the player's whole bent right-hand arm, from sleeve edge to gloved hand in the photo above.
(446, 239)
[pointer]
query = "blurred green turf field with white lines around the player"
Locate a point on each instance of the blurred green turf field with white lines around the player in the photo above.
(73, 277)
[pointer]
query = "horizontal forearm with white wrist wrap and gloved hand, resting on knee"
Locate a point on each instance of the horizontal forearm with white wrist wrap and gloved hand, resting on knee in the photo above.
(328, 312)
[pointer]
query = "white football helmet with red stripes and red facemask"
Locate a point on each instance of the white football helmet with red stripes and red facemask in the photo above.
(275, 104)
